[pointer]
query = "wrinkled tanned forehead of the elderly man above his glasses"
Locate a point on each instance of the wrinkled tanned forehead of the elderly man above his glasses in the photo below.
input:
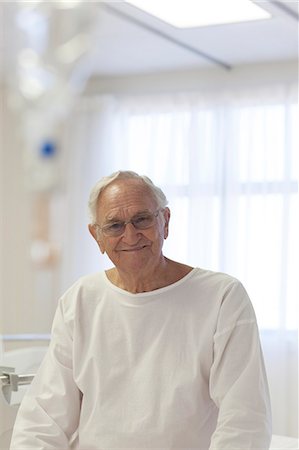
(130, 196)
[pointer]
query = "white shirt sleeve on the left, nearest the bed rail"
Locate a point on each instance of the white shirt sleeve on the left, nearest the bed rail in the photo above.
(49, 413)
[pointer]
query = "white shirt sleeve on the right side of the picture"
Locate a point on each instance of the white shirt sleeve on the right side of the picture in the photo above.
(238, 383)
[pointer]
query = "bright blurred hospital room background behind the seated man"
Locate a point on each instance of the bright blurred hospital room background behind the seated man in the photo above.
(206, 106)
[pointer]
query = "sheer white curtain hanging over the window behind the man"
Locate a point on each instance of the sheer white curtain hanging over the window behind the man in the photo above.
(228, 164)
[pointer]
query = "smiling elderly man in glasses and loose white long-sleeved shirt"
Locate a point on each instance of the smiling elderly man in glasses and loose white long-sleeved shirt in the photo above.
(151, 354)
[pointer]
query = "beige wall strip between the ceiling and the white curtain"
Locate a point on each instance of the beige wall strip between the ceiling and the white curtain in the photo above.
(207, 79)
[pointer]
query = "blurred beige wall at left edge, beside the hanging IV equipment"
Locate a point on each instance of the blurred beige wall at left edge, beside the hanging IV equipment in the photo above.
(22, 309)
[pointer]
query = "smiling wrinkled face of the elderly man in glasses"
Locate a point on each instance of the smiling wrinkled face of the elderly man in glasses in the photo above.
(134, 249)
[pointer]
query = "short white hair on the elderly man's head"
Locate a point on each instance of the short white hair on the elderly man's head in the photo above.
(157, 193)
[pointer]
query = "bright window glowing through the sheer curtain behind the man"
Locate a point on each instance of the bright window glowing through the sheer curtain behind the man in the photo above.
(230, 173)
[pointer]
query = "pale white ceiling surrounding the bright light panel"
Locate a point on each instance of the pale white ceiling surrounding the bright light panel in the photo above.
(126, 40)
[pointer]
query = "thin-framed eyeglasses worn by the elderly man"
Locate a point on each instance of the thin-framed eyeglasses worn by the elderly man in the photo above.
(139, 221)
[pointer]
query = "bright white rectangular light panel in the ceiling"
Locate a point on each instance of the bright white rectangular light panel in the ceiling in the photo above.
(198, 13)
